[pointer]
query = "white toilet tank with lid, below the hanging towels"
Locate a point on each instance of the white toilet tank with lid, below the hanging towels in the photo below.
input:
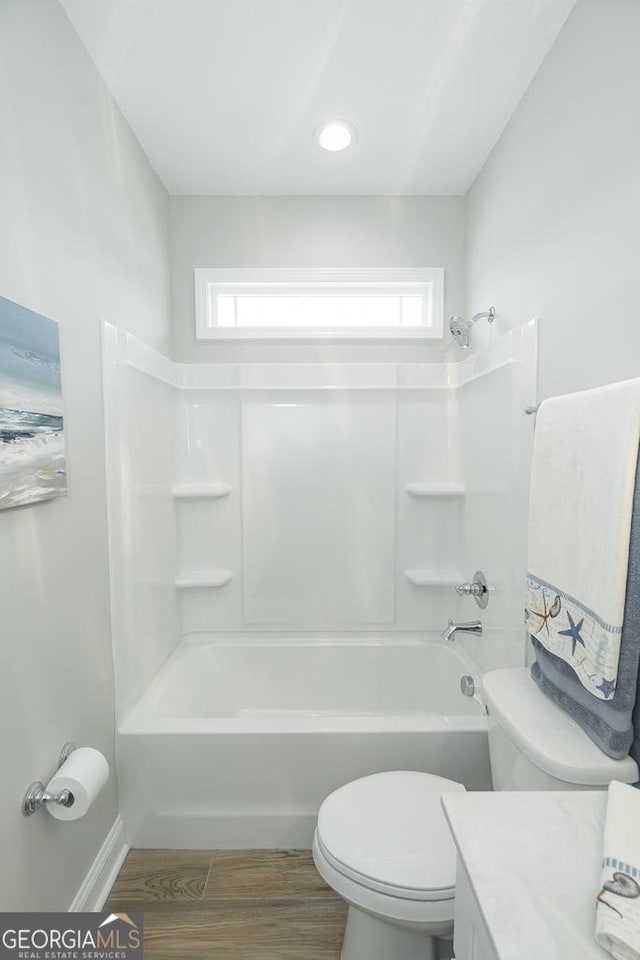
(534, 745)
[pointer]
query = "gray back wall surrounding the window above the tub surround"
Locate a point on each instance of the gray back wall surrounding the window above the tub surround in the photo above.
(311, 232)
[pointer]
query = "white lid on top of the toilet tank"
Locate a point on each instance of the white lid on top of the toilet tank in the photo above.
(547, 736)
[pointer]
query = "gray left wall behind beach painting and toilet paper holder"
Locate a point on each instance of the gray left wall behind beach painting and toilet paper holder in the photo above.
(84, 238)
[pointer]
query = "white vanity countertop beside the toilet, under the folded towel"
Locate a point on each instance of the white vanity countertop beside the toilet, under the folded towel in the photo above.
(534, 861)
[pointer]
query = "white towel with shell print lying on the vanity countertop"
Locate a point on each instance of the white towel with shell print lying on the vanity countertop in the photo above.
(618, 906)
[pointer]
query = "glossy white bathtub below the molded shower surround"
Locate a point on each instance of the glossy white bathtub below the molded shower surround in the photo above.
(236, 743)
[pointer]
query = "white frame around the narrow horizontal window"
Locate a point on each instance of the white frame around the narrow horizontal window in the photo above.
(430, 279)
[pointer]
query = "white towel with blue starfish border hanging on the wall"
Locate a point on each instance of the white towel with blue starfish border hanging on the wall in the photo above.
(582, 483)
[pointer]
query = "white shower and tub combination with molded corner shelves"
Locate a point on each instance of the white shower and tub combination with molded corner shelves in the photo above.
(285, 544)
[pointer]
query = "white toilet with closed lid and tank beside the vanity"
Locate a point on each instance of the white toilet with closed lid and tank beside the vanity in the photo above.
(382, 841)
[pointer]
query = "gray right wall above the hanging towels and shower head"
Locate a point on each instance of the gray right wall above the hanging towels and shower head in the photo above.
(554, 217)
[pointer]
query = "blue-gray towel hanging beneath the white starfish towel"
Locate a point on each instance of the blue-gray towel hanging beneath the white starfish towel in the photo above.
(610, 723)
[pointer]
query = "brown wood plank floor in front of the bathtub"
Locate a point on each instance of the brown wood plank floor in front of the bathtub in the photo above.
(230, 905)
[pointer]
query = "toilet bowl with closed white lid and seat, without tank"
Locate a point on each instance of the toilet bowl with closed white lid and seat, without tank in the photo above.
(383, 844)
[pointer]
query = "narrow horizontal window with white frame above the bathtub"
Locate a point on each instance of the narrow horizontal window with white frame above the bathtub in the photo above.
(329, 304)
